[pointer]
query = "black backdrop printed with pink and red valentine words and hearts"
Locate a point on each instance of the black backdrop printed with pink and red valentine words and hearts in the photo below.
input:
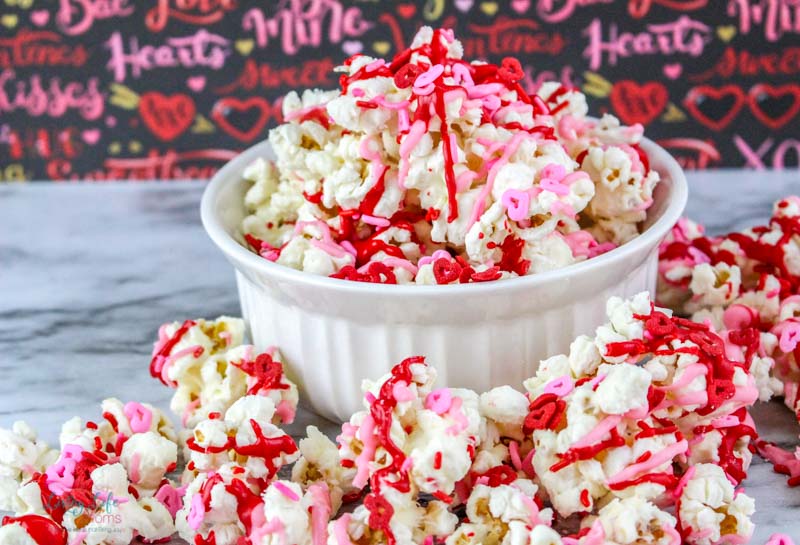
(171, 89)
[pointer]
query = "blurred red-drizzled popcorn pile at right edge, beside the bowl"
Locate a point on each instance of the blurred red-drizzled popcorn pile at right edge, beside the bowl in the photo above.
(745, 285)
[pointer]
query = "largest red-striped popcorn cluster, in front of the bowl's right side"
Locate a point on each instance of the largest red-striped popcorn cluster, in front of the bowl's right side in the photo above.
(662, 386)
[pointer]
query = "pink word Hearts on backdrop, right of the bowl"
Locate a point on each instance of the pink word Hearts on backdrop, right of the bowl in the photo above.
(685, 35)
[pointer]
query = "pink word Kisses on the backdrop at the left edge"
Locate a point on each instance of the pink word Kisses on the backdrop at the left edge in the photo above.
(53, 98)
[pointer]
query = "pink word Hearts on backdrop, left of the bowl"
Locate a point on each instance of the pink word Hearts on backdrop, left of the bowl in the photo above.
(200, 49)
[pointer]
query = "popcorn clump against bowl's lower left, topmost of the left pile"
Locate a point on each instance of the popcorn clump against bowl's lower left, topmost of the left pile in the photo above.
(210, 368)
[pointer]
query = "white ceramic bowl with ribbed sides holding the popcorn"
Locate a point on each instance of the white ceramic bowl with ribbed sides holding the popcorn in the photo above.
(335, 333)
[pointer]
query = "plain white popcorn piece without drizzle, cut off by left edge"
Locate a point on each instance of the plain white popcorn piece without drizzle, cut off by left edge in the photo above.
(21, 455)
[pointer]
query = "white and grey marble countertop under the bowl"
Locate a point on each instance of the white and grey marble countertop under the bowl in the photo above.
(89, 272)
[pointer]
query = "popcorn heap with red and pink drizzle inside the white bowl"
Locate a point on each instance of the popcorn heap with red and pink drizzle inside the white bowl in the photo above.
(429, 169)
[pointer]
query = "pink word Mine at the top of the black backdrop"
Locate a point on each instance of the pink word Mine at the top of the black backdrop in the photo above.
(302, 23)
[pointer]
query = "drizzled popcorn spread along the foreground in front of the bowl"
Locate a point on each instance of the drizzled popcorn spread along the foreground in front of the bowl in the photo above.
(639, 434)
